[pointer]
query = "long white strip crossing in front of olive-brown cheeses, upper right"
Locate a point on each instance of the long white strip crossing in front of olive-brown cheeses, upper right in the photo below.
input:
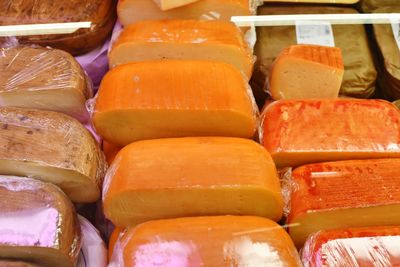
(284, 20)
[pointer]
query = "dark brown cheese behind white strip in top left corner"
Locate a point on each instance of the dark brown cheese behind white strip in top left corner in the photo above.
(101, 14)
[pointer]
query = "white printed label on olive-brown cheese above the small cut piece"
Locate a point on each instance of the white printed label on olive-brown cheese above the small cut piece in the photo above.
(315, 34)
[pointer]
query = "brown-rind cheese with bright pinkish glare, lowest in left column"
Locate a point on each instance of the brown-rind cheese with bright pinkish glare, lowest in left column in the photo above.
(37, 223)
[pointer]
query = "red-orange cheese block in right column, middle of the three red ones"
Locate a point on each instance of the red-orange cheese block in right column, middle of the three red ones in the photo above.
(344, 194)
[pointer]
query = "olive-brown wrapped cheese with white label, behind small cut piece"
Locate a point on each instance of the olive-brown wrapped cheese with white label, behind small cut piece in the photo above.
(359, 75)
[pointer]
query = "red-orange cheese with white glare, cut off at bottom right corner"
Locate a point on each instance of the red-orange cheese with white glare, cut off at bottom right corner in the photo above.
(369, 247)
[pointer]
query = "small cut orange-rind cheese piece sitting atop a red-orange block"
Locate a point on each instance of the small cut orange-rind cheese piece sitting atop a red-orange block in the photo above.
(306, 71)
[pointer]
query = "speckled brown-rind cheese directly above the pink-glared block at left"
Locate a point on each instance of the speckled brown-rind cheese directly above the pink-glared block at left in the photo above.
(51, 147)
